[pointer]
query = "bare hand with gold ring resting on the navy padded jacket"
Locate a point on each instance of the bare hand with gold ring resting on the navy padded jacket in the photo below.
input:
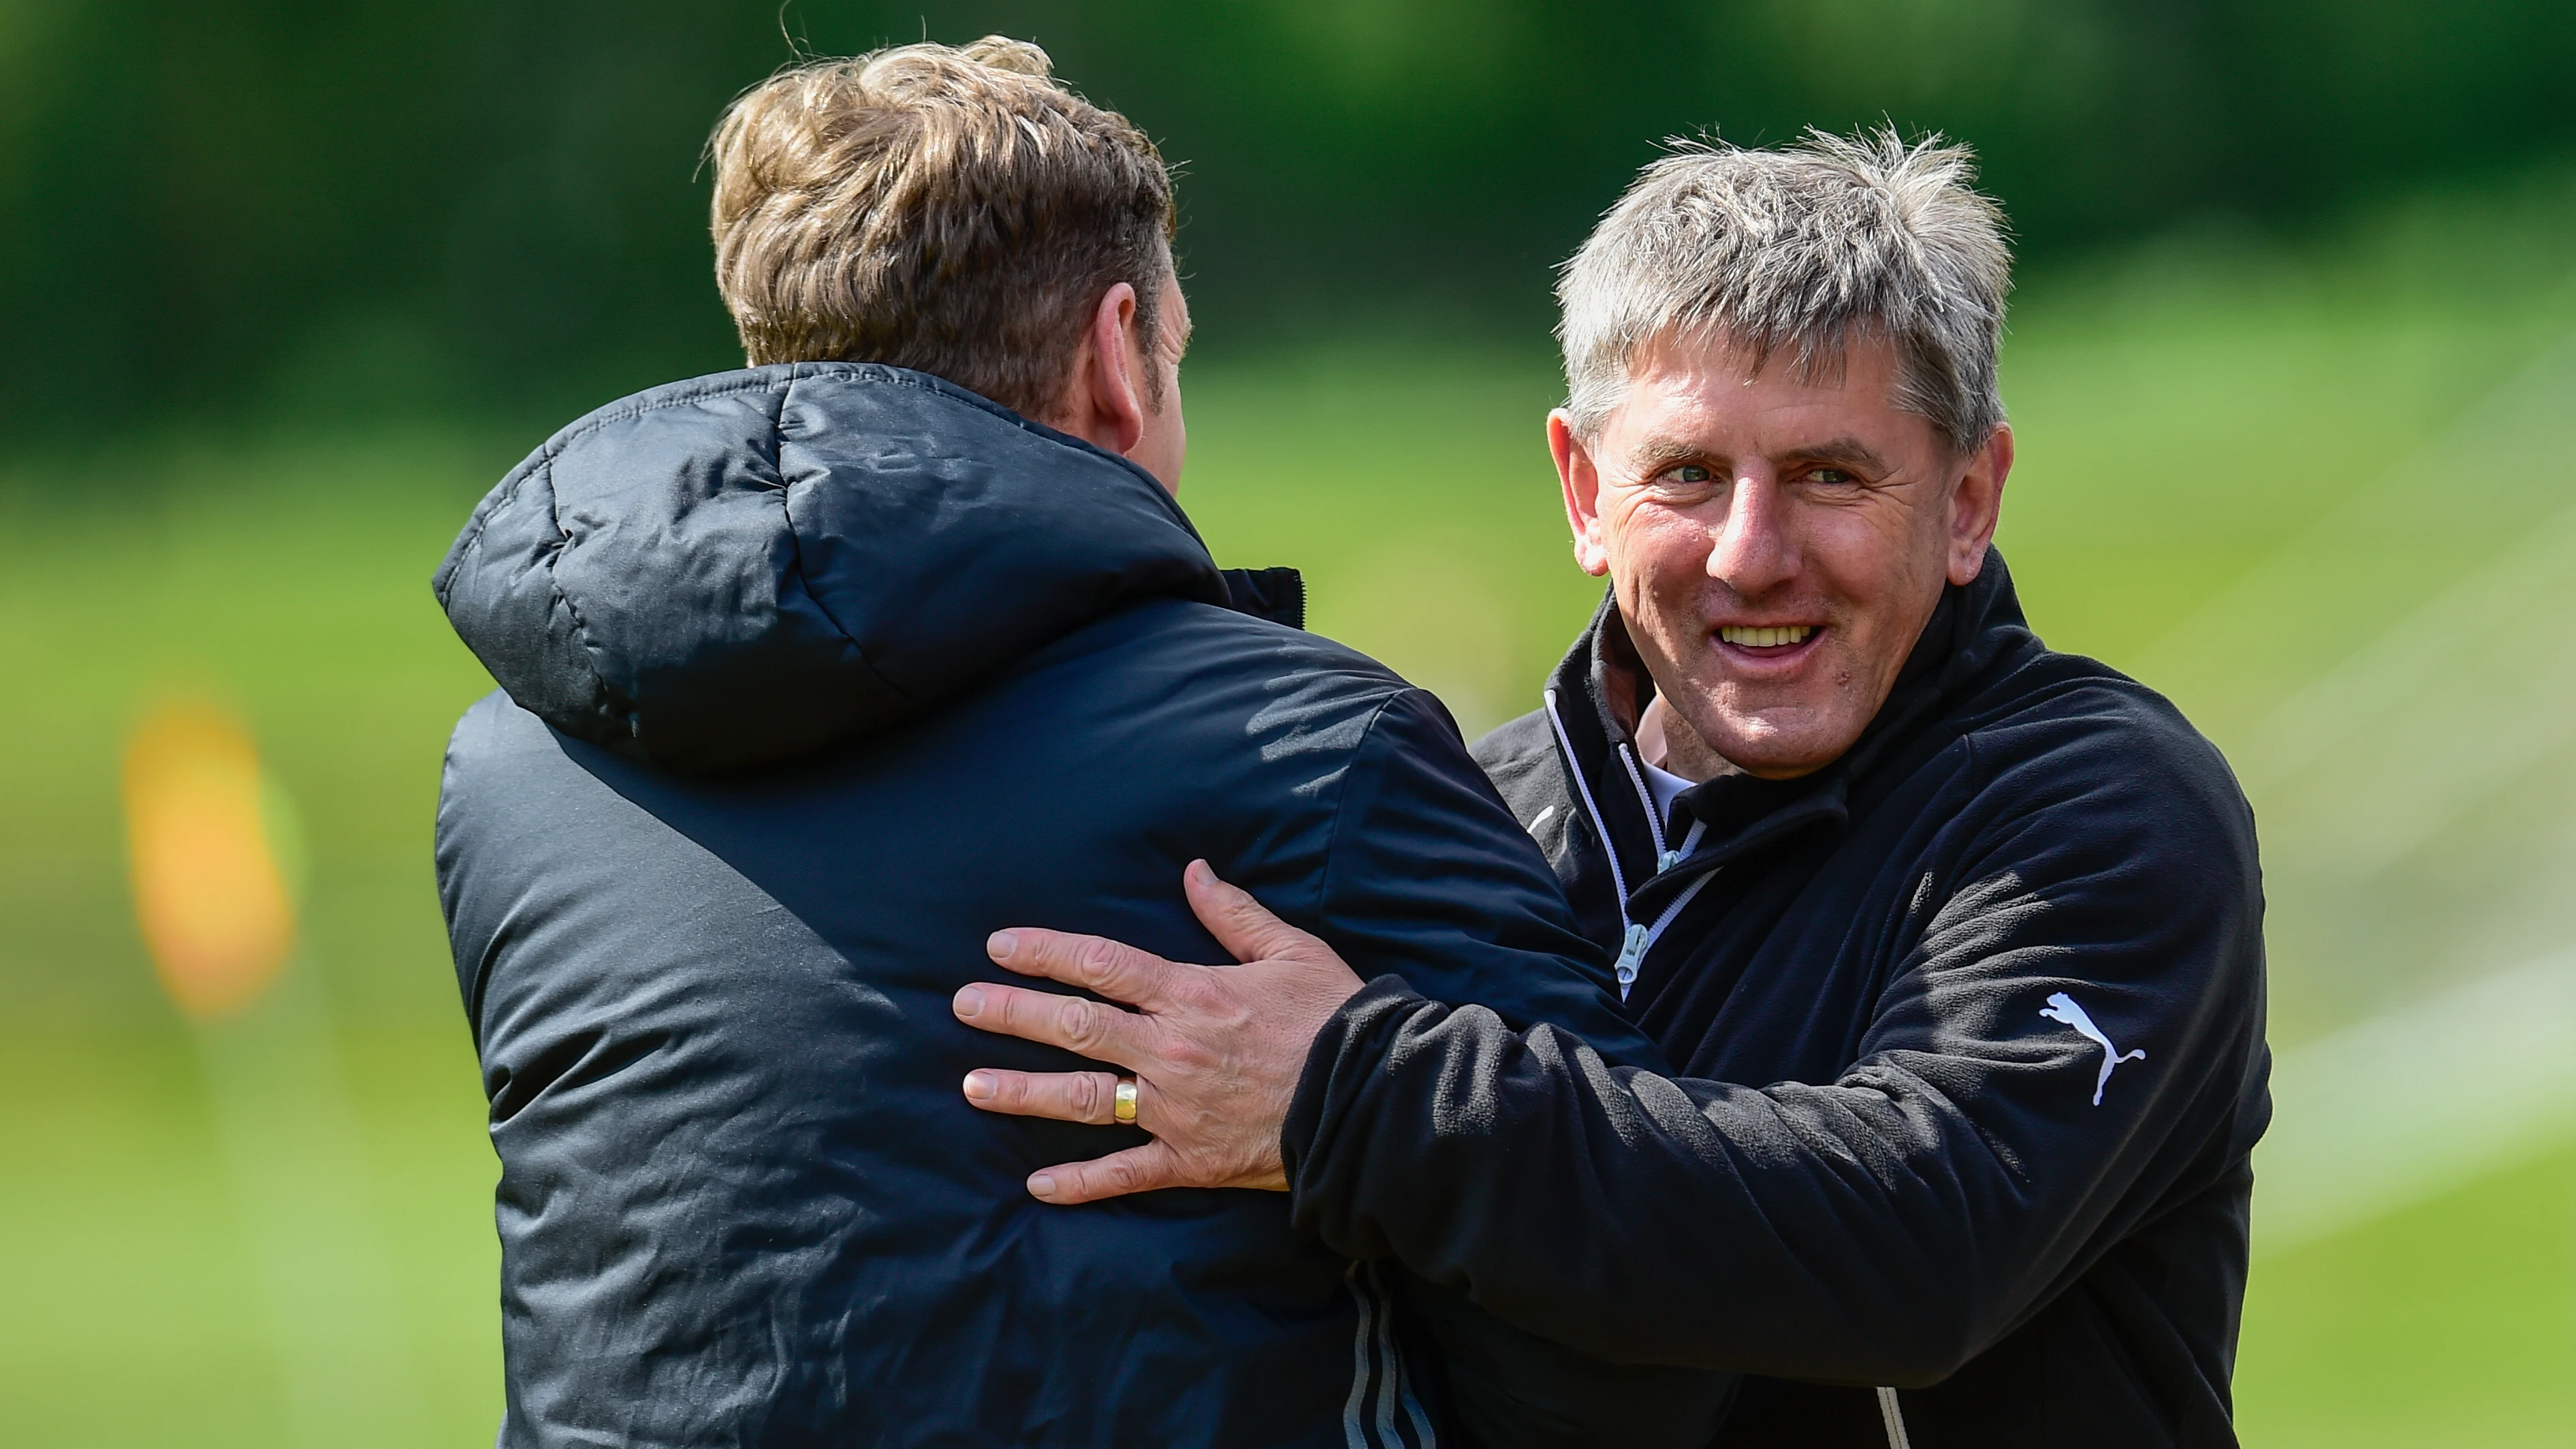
(1217, 1049)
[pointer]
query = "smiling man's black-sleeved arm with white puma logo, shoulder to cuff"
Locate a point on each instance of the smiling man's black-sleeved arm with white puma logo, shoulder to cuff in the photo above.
(1882, 1226)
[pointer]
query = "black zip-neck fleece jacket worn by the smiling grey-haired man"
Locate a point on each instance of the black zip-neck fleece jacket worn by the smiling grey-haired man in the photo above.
(1897, 1152)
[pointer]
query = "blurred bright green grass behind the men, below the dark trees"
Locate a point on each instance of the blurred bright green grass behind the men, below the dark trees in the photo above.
(2188, 413)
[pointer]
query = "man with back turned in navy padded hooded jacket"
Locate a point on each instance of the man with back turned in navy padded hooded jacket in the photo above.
(808, 676)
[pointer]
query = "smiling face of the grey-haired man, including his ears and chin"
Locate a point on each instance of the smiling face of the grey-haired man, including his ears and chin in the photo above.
(1776, 547)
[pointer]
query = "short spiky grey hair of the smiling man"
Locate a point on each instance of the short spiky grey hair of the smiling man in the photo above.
(1799, 254)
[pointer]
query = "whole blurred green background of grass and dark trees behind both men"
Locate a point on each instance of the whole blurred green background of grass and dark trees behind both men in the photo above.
(287, 287)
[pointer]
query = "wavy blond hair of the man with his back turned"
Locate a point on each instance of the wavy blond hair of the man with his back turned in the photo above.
(949, 210)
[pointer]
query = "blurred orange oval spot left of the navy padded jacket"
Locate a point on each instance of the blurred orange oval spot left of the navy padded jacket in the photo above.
(207, 884)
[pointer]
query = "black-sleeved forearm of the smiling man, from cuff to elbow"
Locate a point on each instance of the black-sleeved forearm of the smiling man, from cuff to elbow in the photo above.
(1861, 1232)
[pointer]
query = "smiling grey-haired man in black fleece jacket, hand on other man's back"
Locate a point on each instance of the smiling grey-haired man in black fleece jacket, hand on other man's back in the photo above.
(1956, 941)
